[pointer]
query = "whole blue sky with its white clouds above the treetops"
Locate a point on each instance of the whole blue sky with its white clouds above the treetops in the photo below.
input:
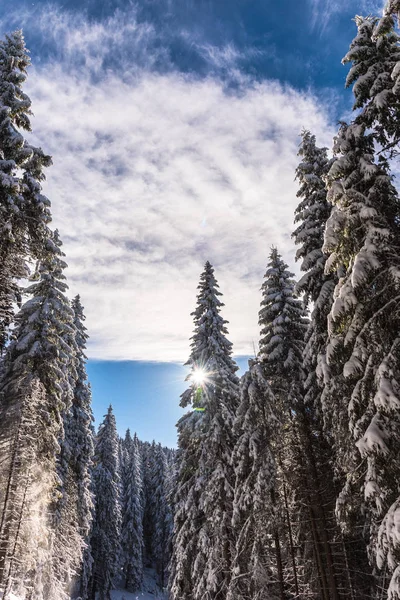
(173, 126)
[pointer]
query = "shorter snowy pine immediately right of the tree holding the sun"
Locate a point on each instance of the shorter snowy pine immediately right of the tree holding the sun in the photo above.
(254, 567)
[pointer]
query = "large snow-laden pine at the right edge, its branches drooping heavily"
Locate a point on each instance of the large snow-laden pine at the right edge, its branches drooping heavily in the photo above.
(362, 235)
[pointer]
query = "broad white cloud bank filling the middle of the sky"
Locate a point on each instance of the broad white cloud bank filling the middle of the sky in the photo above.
(153, 178)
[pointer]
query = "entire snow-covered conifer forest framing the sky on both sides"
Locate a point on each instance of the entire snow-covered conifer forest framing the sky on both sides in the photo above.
(286, 481)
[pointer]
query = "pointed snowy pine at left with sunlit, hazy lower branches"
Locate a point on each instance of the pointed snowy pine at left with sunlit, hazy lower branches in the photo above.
(39, 357)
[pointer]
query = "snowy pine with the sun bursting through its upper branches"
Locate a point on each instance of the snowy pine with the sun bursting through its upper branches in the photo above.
(203, 543)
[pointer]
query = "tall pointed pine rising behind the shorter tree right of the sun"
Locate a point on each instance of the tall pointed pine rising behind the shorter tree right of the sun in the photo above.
(283, 326)
